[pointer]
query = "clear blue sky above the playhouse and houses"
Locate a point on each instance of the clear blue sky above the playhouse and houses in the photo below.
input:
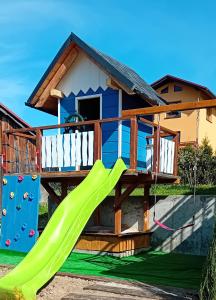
(154, 38)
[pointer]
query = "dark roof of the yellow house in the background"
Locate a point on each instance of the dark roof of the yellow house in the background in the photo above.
(168, 78)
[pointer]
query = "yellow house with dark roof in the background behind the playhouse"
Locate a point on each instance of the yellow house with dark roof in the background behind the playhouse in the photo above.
(195, 125)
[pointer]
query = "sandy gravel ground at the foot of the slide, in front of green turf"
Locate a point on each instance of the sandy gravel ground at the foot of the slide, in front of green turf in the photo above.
(61, 286)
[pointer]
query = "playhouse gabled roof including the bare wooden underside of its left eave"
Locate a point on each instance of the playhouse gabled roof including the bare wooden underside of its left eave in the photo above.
(121, 73)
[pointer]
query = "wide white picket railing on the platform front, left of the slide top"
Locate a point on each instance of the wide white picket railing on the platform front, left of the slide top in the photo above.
(68, 150)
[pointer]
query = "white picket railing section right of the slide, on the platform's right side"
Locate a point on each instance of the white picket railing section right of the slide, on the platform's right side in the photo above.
(167, 154)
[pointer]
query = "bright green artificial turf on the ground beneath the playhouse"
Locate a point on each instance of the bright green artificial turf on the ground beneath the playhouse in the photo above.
(153, 267)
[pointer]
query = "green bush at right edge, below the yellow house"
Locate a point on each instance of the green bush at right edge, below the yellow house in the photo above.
(202, 159)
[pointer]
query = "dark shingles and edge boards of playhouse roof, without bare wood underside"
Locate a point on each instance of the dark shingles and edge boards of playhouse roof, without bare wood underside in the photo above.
(119, 71)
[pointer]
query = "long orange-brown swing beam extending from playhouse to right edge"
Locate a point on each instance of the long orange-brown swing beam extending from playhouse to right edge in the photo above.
(169, 108)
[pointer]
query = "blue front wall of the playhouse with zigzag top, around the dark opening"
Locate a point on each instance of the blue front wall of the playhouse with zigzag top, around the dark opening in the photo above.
(109, 110)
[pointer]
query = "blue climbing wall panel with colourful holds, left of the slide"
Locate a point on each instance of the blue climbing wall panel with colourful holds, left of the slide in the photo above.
(20, 206)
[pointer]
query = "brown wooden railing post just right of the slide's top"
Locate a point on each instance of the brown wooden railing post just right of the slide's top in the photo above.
(133, 143)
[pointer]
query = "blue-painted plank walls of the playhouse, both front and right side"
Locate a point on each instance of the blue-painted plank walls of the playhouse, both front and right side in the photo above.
(110, 106)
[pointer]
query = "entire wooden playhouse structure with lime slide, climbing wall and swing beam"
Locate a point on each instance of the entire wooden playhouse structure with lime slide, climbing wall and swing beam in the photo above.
(118, 131)
